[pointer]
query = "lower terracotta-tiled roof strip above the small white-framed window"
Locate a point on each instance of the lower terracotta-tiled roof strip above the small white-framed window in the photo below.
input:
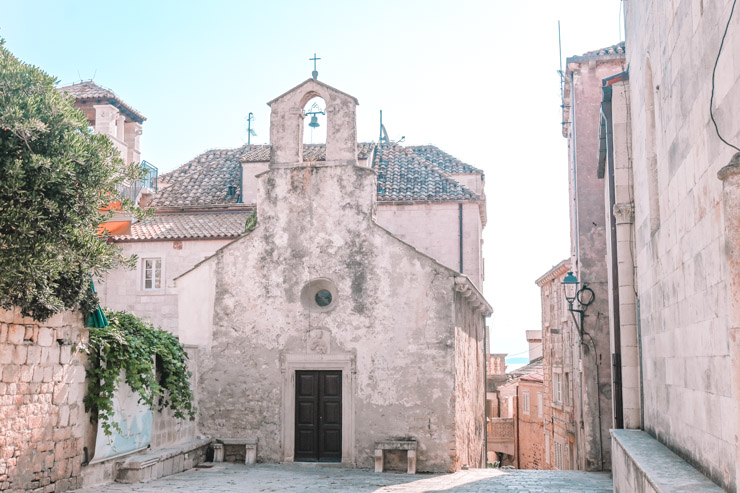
(178, 226)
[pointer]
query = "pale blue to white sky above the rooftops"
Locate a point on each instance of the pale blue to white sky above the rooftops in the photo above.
(477, 79)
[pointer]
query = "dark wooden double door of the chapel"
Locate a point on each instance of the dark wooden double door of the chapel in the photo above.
(318, 416)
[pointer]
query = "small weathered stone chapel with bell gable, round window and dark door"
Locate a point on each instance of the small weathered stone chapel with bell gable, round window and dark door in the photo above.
(320, 332)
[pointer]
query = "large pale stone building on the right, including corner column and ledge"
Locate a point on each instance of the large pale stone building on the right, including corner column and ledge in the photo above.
(672, 201)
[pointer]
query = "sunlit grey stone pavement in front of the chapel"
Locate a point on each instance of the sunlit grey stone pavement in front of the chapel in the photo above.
(317, 479)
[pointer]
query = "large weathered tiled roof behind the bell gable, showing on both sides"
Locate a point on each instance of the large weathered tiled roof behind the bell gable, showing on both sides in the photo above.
(404, 174)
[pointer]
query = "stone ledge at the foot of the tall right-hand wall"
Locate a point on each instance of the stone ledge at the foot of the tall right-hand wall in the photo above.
(642, 463)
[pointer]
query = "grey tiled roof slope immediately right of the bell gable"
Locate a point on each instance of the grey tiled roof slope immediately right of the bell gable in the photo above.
(403, 175)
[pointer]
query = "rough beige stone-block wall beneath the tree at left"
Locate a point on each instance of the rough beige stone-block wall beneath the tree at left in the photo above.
(41, 410)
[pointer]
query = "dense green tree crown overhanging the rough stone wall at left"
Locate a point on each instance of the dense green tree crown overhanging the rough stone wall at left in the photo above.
(55, 176)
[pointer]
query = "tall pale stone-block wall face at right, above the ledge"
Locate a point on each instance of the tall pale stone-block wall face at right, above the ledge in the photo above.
(682, 274)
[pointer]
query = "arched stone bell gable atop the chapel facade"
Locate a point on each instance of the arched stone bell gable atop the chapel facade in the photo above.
(286, 124)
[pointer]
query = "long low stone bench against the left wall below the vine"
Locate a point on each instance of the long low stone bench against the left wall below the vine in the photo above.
(154, 464)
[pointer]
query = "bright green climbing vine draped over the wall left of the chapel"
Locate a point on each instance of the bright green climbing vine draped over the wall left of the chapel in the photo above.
(130, 345)
